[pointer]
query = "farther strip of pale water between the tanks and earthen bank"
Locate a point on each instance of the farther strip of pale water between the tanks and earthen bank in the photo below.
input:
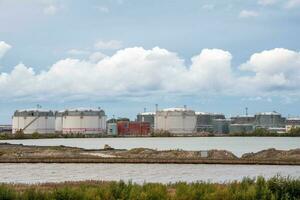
(237, 145)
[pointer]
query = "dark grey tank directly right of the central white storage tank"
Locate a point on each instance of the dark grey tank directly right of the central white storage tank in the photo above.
(204, 121)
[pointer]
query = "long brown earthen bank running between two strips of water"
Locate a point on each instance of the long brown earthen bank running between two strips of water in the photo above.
(16, 153)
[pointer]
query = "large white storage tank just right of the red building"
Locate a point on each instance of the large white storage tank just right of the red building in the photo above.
(176, 121)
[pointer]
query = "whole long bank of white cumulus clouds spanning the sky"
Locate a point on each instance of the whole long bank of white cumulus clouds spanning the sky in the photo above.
(140, 72)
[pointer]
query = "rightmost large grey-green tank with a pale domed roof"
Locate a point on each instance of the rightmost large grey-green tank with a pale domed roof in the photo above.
(269, 120)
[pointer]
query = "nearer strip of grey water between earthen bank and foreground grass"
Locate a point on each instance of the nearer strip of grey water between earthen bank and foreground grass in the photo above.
(37, 173)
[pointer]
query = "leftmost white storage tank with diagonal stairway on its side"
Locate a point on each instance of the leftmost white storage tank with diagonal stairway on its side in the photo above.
(33, 121)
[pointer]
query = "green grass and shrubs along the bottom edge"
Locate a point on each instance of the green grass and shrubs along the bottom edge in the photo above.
(260, 188)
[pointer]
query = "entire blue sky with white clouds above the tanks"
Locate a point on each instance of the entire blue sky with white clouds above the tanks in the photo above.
(127, 55)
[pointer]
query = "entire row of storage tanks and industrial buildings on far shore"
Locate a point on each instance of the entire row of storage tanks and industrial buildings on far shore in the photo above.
(176, 121)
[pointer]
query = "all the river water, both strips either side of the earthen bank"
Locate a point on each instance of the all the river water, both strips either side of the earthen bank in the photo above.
(164, 173)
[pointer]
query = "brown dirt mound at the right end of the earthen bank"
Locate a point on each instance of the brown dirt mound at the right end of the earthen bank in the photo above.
(274, 154)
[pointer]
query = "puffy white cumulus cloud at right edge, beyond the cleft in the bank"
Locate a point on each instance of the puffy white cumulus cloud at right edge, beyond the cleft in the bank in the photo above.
(276, 70)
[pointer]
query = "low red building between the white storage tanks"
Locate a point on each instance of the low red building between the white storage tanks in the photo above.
(126, 128)
